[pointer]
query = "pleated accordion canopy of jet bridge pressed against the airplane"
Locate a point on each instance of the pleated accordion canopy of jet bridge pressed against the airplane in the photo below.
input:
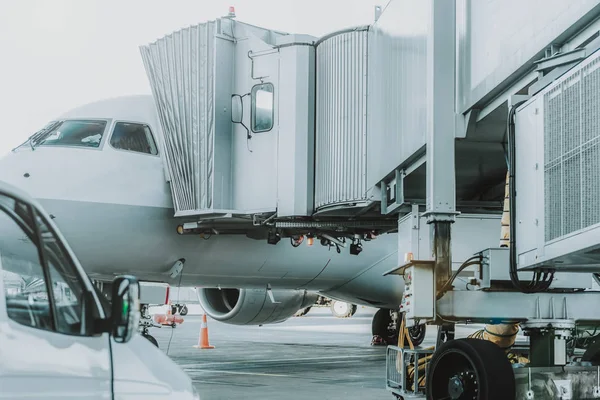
(193, 76)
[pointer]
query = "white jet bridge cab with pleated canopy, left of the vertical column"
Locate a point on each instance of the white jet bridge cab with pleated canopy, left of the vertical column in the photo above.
(263, 122)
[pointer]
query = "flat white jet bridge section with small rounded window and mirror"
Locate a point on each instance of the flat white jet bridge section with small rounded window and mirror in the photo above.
(255, 117)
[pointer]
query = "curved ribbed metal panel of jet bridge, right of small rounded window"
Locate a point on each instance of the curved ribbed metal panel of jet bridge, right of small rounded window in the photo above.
(341, 122)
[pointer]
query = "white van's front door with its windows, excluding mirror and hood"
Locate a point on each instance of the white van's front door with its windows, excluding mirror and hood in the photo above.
(47, 346)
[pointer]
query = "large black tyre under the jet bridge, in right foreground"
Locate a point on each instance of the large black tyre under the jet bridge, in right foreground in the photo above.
(472, 369)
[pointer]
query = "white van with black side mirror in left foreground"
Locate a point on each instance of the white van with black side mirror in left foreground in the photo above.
(59, 338)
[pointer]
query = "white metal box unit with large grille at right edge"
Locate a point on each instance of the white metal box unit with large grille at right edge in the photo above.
(567, 179)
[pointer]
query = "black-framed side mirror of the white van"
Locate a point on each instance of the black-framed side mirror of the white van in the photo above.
(125, 308)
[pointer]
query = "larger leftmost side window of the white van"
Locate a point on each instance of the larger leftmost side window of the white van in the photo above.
(25, 288)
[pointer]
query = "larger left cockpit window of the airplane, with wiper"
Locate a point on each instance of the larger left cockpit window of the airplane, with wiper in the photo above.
(73, 133)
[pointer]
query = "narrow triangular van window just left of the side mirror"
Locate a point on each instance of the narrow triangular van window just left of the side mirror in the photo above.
(73, 313)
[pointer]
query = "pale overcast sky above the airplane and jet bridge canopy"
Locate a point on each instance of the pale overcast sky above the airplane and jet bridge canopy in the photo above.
(58, 54)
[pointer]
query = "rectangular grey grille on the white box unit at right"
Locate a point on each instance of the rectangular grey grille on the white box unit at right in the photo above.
(572, 152)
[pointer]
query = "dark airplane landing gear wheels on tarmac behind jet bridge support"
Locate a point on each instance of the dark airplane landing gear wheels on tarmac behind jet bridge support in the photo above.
(386, 324)
